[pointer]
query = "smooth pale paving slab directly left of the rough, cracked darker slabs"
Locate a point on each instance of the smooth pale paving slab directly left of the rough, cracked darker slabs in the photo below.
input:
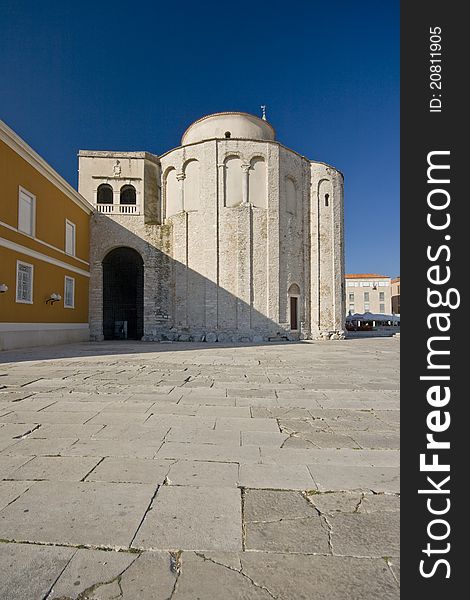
(171, 523)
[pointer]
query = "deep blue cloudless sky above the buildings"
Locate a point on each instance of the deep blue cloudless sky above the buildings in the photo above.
(132, 76)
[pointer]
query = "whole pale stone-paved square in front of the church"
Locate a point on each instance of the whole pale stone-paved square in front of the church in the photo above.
(256, 471)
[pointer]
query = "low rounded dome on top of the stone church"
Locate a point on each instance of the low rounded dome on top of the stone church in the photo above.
(228, 125)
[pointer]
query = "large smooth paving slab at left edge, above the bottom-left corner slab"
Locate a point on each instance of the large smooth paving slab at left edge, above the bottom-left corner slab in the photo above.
(97, 514)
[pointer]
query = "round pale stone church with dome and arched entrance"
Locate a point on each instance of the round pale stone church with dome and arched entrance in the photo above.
(229, 237)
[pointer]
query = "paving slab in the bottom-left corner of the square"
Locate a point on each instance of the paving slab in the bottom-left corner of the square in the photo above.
(28, 572)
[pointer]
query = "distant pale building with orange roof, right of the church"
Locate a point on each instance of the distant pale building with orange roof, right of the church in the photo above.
(368, 292)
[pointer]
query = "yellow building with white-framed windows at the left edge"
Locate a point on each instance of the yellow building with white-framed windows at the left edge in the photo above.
(44, 251)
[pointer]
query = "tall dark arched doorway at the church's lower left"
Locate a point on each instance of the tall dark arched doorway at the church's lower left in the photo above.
(123, 295)
